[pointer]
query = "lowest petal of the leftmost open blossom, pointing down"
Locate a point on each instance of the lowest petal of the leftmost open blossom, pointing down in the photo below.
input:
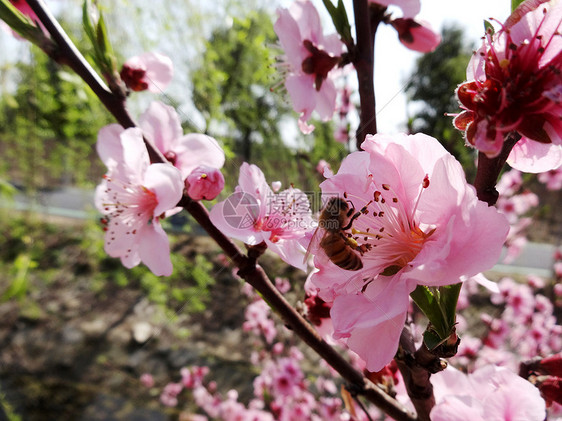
(154, 249)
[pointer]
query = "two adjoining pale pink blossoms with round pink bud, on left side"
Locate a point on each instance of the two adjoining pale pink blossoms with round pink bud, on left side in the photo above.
(136, 195)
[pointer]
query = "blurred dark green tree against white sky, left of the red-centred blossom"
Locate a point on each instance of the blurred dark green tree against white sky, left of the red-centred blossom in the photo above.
(433, 83)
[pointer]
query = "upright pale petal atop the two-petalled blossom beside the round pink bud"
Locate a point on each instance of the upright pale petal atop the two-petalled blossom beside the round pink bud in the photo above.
(161, 124)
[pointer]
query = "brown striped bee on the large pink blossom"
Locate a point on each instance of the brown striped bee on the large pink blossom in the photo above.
(337, 217)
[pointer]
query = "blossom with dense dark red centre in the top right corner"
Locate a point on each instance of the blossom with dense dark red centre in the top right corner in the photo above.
(515, 84)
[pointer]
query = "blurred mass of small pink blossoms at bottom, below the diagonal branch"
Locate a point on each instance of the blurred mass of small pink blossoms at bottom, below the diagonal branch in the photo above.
(282, 390)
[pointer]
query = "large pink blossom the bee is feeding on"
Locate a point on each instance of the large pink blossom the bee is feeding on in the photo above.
(418, 217)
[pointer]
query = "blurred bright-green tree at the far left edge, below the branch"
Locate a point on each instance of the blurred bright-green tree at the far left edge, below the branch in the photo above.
(48, 126)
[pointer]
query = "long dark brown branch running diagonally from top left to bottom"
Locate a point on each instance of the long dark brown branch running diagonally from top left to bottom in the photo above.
(247, 267)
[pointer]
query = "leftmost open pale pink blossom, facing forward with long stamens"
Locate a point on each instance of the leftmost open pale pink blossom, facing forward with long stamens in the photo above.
(134, 195)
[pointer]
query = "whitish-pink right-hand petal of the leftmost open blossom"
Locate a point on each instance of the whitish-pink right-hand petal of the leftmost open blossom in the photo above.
(165, 181)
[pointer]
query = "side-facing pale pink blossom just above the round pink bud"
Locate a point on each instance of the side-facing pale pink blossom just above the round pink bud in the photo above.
(161, 124)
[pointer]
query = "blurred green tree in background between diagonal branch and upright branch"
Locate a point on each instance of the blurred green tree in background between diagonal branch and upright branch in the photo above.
(232, 88)
